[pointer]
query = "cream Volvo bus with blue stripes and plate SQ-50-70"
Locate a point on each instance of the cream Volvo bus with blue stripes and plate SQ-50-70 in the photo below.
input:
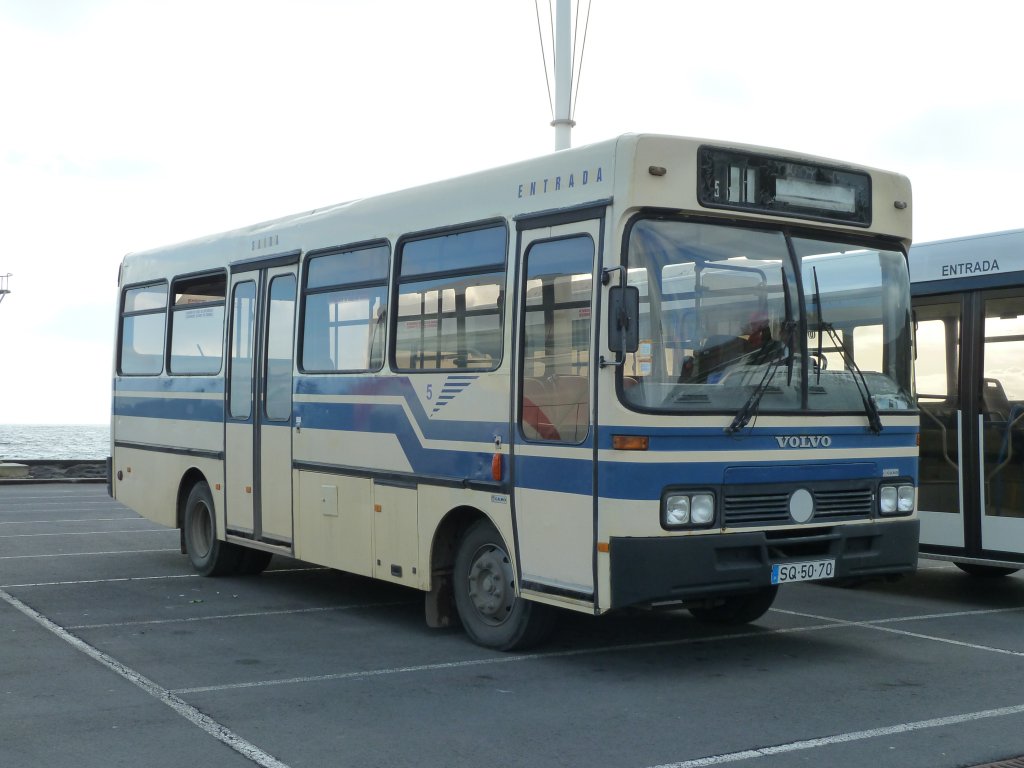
(654, 371)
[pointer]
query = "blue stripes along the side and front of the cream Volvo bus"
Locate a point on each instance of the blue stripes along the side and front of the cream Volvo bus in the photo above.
(644, 480)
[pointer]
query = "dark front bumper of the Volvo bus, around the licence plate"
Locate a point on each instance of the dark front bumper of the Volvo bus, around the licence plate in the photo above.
(696, 568)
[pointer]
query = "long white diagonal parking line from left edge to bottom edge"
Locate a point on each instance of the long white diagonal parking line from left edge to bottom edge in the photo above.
(205, 722)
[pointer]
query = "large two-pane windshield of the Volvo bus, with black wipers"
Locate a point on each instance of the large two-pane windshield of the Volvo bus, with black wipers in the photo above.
(742, 320)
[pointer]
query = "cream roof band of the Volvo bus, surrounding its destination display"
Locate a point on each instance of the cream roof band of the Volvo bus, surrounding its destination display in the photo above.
(619, 172)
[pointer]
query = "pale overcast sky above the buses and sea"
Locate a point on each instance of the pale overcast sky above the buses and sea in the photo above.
(126, 125)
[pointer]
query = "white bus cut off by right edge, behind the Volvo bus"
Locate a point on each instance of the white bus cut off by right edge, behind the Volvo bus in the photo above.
(969, 312)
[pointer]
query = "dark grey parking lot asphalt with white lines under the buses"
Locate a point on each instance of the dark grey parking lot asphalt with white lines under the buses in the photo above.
(113, 653)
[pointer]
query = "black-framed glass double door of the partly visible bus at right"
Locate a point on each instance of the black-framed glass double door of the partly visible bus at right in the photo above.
(971, 397)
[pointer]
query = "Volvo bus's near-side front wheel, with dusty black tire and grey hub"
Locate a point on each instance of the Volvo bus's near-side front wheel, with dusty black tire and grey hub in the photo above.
(493, 615)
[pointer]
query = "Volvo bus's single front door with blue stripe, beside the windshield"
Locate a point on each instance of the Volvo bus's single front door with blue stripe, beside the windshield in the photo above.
(553, 455)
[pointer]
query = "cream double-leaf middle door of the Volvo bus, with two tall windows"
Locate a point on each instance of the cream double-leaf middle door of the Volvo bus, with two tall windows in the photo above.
(259, 417)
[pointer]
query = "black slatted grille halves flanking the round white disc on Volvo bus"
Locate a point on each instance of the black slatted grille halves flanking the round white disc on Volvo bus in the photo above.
(746, 506)
